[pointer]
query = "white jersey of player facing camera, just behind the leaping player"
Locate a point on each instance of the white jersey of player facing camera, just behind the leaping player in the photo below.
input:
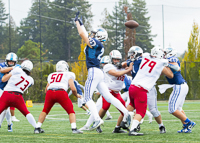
(113, 82)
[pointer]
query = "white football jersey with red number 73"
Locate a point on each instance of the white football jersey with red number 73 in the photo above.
(19, 81)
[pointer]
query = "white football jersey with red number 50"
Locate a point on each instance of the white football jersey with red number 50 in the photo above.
(58, 80)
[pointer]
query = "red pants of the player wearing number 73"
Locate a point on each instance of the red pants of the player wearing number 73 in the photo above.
(13, 99)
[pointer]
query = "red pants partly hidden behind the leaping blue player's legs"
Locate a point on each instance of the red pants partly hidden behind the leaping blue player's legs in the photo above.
(106, 105)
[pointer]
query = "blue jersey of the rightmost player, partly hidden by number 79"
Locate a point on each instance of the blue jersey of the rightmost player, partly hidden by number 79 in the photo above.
(177, 79)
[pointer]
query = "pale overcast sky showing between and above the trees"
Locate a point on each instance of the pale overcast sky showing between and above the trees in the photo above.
(179, 16)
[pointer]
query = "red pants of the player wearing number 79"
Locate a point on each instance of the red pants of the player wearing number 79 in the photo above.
(138, 99)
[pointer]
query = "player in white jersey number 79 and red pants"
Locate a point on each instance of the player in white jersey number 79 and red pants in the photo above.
(150, 69)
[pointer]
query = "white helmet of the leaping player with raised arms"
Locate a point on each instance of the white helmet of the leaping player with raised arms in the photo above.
(100, 34)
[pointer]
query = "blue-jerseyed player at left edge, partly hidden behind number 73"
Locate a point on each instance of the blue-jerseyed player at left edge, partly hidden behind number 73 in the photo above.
(6, 67)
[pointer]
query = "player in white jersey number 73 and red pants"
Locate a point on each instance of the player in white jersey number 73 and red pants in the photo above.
(19, 80)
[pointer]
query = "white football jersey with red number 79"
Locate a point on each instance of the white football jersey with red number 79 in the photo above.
(149, 71)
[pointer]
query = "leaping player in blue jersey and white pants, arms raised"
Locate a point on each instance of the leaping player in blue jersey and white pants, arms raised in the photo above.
(94, 51)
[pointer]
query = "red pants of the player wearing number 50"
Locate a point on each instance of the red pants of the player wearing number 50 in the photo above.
(60, 97)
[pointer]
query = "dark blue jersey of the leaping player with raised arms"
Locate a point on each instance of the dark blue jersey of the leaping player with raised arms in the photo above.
(94, 54)
